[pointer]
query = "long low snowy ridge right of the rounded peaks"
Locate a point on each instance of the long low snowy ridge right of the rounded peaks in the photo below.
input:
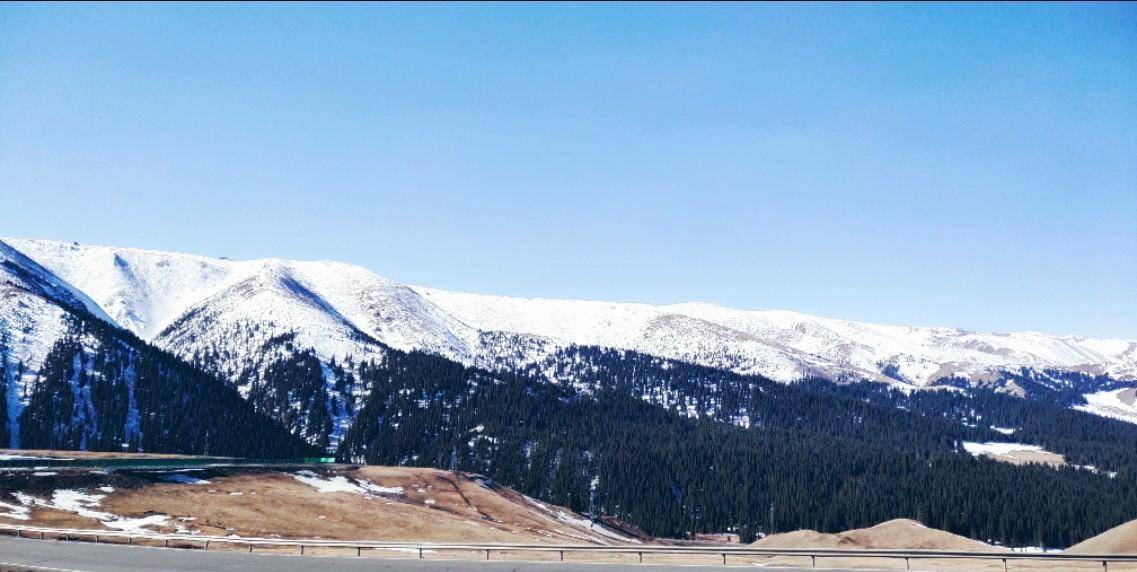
(785, 345)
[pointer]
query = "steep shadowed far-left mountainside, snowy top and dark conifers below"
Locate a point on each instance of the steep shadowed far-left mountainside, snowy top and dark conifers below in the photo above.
(71, 379)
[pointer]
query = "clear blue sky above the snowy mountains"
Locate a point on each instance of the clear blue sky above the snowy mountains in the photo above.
(965, 165)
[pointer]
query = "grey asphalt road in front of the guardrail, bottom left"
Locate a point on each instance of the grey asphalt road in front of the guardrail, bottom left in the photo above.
(60, 557)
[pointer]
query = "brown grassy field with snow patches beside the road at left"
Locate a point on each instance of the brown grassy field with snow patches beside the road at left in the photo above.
(346, 503)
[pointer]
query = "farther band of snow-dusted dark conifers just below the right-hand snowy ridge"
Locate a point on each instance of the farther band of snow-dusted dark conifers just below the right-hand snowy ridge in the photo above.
(918, 421)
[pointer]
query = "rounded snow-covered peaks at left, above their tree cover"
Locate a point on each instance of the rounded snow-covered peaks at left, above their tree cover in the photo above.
(146, 292)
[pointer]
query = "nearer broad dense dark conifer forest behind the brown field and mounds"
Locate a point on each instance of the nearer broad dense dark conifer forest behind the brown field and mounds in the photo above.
(617, 454)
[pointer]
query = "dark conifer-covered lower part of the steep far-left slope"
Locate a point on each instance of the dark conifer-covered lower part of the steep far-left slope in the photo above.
(99, 388)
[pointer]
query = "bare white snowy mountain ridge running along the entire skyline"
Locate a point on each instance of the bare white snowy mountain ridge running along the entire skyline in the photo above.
(342, 310)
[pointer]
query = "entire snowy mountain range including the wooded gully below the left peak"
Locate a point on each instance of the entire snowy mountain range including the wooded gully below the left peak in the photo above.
(294, 336)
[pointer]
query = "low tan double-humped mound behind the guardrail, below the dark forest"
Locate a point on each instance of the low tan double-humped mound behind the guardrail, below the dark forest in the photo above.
(900, 534)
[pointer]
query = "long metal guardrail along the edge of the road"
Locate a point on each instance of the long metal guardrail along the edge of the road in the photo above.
(814, 554)
